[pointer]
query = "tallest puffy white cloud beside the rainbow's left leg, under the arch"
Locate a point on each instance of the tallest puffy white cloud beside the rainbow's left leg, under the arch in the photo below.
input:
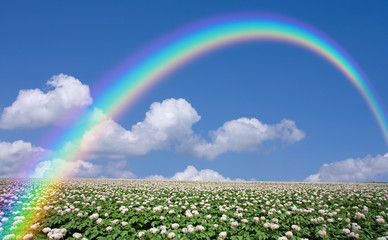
(165, 123)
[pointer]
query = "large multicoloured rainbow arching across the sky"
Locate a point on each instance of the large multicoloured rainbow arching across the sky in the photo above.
(134, 77)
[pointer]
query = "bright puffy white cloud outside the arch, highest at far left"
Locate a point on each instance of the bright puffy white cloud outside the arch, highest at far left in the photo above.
(35, 108)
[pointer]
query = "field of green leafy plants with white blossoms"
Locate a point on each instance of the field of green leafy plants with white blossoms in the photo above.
(142, 209)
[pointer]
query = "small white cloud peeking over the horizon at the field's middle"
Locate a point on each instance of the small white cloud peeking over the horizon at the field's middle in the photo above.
(192, 174)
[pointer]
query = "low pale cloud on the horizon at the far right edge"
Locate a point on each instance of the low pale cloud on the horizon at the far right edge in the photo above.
(352, 170)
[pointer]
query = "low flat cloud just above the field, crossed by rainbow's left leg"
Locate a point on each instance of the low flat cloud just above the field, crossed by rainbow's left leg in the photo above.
(81, 168)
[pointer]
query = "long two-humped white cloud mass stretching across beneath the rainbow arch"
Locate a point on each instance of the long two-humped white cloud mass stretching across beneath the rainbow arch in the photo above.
(170, 124)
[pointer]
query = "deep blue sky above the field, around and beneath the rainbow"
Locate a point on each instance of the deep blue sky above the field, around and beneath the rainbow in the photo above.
(267, 81)
